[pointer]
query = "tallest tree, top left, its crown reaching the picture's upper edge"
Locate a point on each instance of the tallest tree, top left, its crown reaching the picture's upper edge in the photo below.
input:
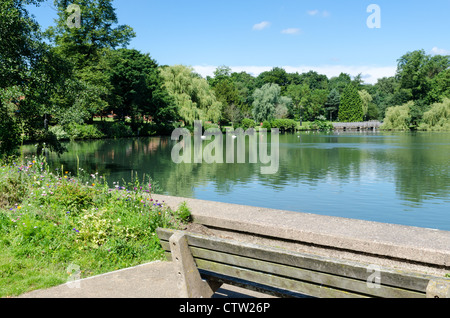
(88, 48)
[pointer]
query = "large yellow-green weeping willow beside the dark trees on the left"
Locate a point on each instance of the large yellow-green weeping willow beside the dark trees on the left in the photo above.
(193, 96)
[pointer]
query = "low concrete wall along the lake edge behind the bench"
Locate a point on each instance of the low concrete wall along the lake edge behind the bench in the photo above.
(401, 247)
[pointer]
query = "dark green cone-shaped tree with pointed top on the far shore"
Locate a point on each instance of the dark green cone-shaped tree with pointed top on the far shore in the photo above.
(350, 109)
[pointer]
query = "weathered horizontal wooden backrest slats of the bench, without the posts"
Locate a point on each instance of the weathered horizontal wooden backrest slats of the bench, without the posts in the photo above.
(305, 273)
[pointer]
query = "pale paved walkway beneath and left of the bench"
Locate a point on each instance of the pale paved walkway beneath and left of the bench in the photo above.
(152, 280)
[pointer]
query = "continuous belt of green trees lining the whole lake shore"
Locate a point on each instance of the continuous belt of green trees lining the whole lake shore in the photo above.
(64, 82)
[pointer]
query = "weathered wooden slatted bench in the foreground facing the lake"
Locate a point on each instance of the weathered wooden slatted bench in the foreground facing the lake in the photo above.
(204, 262)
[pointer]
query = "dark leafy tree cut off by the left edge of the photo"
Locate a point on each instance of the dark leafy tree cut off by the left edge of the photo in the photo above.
(30, 73)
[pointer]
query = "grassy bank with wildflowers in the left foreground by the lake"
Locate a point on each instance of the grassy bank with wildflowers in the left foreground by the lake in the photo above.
(51, 221)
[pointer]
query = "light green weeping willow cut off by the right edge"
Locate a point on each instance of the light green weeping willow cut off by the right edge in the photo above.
(438, 117)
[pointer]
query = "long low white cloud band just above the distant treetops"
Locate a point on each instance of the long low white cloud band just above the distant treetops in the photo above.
(370, 74)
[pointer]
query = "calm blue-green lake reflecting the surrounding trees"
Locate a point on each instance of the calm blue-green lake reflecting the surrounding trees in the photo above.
(400, 178)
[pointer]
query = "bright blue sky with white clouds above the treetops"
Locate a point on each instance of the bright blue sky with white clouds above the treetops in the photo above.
(327, 36)
